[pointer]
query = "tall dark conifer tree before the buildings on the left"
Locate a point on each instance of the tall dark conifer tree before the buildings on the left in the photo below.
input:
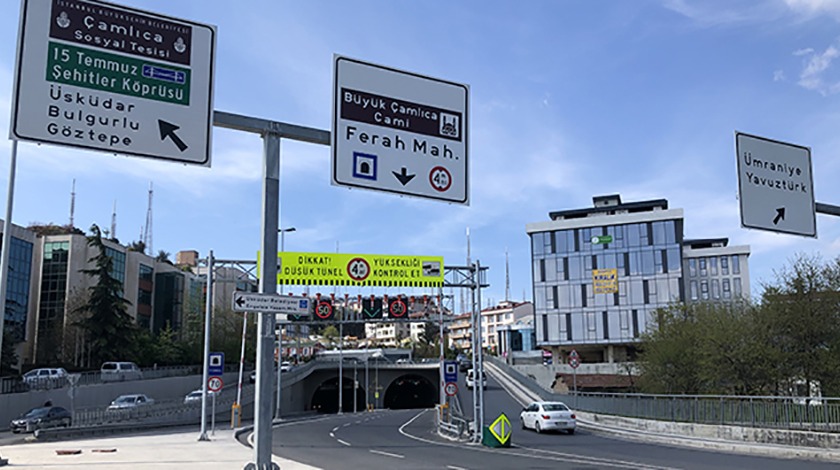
(105, 318)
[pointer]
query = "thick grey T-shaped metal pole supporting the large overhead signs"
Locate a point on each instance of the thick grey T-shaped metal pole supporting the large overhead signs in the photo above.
(271, 133)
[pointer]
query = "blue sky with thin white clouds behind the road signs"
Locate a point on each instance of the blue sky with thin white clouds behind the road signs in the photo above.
(568, 100)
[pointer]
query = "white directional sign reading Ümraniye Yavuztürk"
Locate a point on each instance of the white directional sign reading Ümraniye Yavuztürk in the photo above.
(775, 186)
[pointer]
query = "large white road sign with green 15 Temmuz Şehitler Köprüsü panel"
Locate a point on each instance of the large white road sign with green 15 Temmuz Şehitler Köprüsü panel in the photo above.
(111, 78)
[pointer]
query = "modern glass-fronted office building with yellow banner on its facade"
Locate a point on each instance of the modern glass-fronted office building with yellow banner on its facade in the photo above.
(600, 273)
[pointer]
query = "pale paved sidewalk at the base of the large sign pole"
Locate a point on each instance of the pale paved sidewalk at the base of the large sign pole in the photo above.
(162, 450)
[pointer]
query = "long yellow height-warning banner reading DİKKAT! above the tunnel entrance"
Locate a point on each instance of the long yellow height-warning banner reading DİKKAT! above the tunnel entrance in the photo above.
(341, 269)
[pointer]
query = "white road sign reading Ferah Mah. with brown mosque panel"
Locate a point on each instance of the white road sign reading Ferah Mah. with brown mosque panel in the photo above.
(399, 132)
